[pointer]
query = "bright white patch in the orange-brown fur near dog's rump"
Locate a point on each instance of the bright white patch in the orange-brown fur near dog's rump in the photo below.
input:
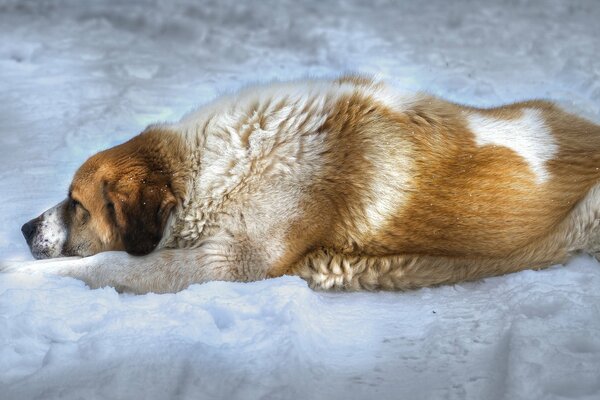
(527, 136)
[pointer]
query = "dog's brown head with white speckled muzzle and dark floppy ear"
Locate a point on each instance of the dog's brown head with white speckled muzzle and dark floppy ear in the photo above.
(120, 199)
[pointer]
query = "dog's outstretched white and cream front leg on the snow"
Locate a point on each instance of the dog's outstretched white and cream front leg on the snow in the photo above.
(163, 271)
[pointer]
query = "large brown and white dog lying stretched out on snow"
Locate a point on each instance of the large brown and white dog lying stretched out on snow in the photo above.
(348, 183)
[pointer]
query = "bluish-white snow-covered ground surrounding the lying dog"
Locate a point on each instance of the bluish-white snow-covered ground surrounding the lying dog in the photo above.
(77, 77)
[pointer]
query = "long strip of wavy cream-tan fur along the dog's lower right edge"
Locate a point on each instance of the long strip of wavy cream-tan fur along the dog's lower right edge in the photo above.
(578, 231)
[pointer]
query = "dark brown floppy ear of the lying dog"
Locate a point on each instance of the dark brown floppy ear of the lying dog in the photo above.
(140, 215)
